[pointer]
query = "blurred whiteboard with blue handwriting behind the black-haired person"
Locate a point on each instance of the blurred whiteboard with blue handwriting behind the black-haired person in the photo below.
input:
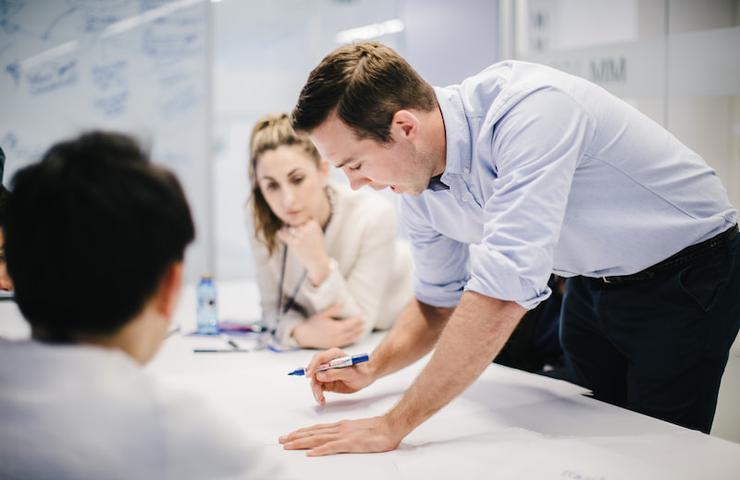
(137, 66)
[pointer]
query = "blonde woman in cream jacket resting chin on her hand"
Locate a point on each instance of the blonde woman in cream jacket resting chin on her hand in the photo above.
(330, 267)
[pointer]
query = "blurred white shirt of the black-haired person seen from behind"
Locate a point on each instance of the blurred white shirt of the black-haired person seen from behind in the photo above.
(71, 412)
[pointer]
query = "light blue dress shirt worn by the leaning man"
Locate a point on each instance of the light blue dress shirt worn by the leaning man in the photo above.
(549, 173)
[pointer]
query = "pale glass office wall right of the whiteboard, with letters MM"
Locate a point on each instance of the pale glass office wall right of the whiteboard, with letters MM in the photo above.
(675, 60)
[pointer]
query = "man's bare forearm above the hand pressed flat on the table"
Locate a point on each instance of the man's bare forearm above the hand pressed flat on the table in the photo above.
(473, 337)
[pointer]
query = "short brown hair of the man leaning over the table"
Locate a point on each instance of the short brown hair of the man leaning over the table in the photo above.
(367, 83)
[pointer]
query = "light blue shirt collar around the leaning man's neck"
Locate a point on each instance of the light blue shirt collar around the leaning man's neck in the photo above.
(457, 132)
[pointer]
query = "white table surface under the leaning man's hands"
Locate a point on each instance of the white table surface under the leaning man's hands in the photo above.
(508, 424)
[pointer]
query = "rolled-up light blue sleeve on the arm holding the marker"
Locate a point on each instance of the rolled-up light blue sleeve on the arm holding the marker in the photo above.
(440, 262)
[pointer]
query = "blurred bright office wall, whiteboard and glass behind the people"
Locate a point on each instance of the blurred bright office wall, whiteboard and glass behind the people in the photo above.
(212, 68)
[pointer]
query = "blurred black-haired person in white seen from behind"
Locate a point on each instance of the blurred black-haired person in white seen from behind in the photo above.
(95, 237)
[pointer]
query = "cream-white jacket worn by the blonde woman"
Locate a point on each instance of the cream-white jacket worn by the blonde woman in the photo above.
(371, 273)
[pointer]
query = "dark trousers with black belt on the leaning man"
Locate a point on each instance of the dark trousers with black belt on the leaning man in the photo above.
(657, 346)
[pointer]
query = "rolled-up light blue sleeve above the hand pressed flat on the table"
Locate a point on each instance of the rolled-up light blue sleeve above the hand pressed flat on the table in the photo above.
(536, 148)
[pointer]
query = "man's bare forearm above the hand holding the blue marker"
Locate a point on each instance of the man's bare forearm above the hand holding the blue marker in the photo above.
(414, 334)
